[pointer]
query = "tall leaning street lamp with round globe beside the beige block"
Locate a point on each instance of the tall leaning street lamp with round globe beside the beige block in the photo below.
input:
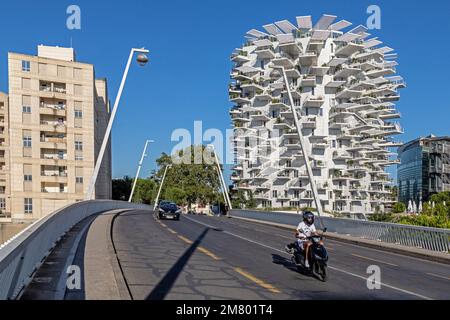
(142, 59)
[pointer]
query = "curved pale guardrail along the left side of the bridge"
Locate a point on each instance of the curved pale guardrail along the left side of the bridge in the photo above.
(23, 254)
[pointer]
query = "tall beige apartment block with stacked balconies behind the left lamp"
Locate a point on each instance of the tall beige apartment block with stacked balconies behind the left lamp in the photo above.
(58, 113)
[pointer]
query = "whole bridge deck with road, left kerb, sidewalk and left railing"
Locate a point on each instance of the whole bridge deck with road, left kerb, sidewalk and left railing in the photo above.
(121, 251)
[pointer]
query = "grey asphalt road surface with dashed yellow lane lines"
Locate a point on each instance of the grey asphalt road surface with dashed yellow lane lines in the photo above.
(203, 257)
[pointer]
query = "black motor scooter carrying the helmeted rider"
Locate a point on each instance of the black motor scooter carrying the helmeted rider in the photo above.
(317, 258)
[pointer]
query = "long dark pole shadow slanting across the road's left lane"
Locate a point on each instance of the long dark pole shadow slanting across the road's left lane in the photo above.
(166, 283)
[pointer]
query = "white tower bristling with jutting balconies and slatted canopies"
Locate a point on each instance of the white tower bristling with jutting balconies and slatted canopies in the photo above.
(344, 89)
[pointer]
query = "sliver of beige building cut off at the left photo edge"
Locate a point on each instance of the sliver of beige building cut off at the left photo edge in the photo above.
(5, 211)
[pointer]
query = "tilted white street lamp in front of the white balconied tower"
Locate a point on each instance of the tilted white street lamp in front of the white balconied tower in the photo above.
(300, 138)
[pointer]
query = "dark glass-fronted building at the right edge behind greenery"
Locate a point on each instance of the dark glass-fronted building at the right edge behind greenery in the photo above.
(424, 168)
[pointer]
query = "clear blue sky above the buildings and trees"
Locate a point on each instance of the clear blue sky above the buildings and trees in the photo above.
(190, 43)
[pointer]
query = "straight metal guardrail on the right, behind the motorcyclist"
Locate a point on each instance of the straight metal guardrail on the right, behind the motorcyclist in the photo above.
(432, 239)
